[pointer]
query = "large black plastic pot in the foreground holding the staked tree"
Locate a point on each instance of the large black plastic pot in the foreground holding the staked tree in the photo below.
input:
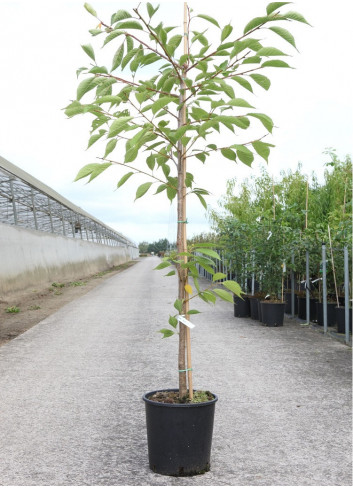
(179, 436)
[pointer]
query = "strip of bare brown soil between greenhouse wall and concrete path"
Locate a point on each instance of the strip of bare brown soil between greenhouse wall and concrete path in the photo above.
(36, 305)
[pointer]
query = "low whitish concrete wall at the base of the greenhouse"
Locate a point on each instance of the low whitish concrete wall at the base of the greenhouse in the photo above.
(31, 259)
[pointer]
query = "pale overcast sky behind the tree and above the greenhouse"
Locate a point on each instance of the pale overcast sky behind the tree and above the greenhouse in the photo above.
(40, 51)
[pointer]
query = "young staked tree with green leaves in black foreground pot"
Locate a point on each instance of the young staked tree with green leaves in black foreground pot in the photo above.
(176, 115)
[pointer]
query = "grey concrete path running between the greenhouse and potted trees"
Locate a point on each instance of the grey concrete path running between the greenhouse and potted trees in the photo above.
(71, 387)
